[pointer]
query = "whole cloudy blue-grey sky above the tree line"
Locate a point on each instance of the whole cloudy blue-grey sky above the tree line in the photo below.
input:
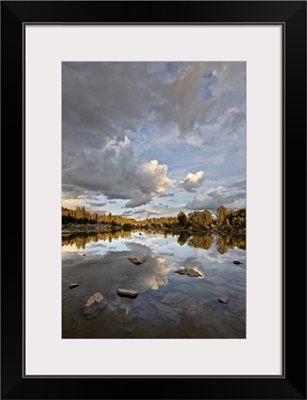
(151, 139)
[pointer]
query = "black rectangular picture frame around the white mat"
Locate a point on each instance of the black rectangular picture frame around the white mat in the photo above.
(292, 16)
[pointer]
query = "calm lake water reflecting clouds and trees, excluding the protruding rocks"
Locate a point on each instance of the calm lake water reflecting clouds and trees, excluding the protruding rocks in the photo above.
(168, 305)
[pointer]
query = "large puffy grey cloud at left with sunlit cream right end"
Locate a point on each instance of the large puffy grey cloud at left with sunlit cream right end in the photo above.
(117, 173)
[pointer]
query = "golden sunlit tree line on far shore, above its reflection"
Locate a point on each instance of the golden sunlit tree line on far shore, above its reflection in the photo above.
(224, 219)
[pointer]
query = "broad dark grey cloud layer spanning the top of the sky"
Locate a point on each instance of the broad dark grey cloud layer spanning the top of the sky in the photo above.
(103, 99)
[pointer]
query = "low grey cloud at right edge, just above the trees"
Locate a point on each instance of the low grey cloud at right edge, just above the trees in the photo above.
(233, 197)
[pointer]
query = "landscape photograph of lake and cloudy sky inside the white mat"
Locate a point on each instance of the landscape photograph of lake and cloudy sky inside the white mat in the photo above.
(154, 200)
